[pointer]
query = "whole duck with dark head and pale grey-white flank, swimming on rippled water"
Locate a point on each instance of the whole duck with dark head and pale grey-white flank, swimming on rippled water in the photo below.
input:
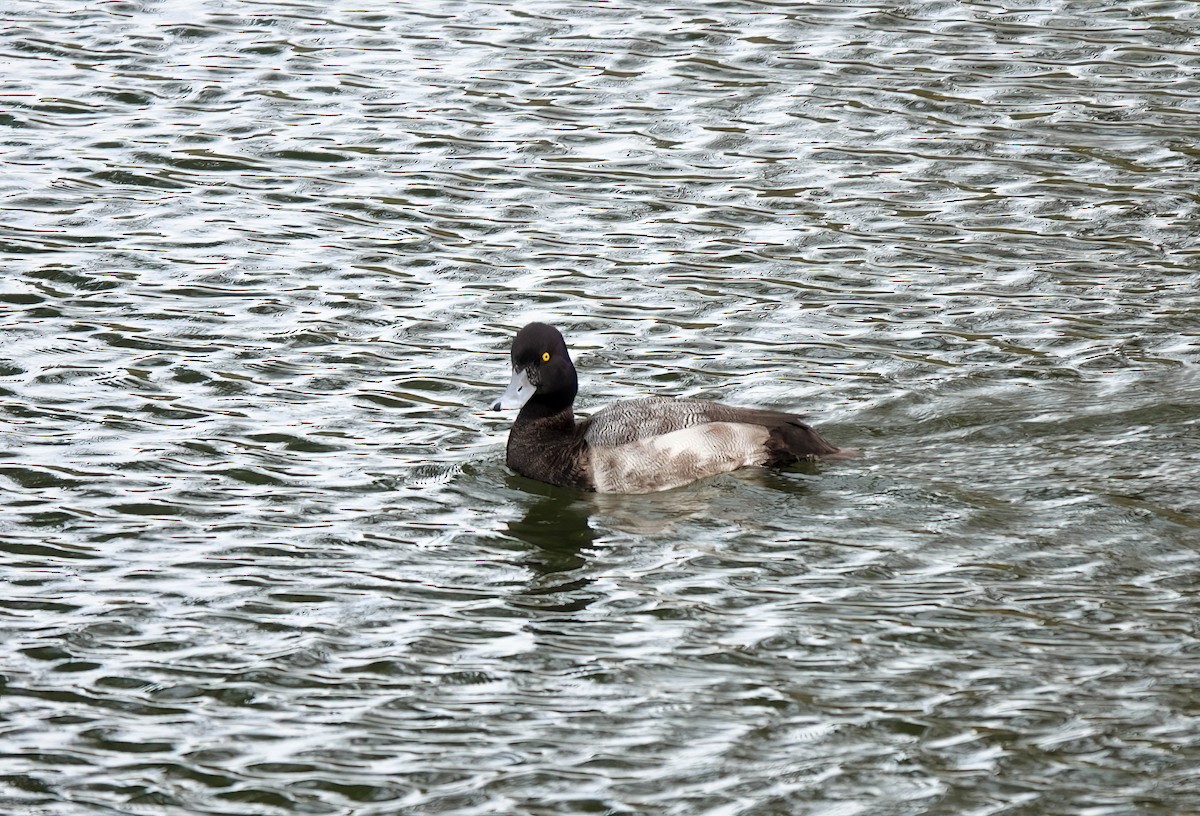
(635, 446)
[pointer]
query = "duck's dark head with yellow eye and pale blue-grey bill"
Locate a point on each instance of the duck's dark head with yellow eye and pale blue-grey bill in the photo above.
(544, 380)
